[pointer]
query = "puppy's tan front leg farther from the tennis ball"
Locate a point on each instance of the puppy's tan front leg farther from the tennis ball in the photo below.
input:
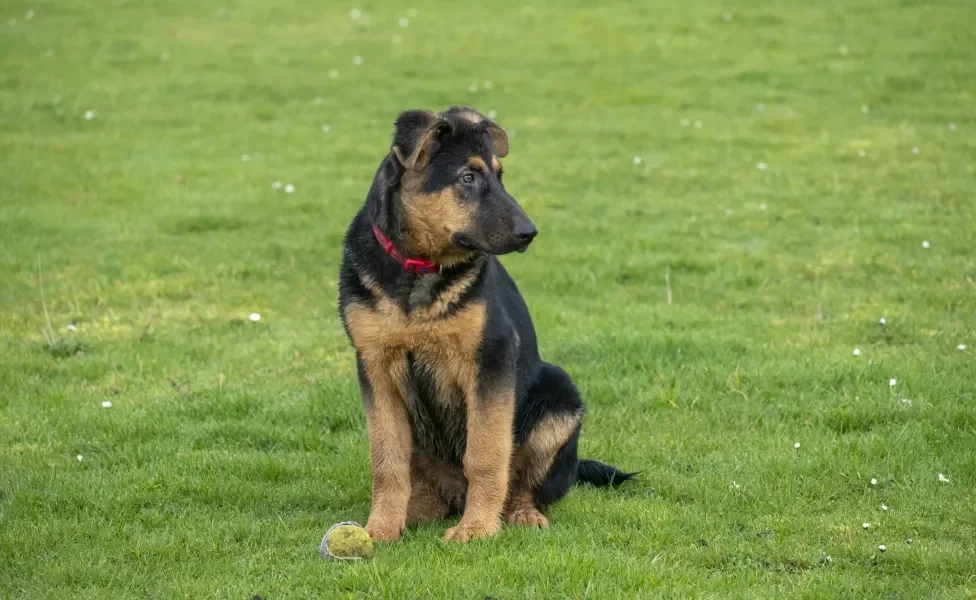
(486, 464)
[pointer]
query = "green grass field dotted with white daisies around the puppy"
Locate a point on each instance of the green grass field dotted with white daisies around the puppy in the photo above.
(783, 161)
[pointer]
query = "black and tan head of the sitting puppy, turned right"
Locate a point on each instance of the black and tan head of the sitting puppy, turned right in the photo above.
(451, 187)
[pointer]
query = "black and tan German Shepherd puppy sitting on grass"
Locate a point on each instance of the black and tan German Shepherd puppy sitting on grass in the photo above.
(463, 416)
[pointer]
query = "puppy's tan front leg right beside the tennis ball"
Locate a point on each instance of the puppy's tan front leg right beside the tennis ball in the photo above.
(390, 448)
